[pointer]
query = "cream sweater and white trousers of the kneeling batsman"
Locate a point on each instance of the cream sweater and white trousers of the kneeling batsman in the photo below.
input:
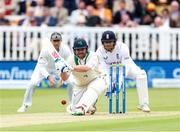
(88, 85)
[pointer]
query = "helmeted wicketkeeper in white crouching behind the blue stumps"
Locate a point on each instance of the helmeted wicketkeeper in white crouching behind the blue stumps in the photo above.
(113, 52)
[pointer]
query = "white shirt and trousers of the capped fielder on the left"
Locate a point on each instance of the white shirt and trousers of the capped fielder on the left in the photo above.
(45, 66)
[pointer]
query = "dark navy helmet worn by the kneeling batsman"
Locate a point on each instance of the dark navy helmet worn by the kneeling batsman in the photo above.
(79, 44)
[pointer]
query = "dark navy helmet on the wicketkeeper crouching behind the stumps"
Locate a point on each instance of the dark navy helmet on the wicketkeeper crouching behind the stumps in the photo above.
(108, 36)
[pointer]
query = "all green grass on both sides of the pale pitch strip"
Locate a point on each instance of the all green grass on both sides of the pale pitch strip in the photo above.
(48, 101)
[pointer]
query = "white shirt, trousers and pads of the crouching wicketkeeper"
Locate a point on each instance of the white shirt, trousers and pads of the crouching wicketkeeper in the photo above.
(120, 54)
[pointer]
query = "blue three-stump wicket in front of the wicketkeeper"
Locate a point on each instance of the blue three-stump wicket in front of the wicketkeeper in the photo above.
(115, 88)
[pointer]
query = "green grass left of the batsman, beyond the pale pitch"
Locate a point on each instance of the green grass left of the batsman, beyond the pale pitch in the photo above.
(44, 100)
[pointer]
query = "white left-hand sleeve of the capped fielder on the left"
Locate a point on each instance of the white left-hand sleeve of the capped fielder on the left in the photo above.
(43, 62)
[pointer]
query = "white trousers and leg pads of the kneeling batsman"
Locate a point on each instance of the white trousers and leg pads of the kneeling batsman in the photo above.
(86, 96)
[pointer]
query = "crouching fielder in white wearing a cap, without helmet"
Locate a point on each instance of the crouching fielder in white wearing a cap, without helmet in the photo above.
(46, 68)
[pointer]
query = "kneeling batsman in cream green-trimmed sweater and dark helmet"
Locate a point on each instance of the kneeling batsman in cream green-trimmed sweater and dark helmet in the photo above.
(89, 83)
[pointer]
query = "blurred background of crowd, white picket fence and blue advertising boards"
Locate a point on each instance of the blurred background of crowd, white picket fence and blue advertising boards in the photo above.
(151, 29)
